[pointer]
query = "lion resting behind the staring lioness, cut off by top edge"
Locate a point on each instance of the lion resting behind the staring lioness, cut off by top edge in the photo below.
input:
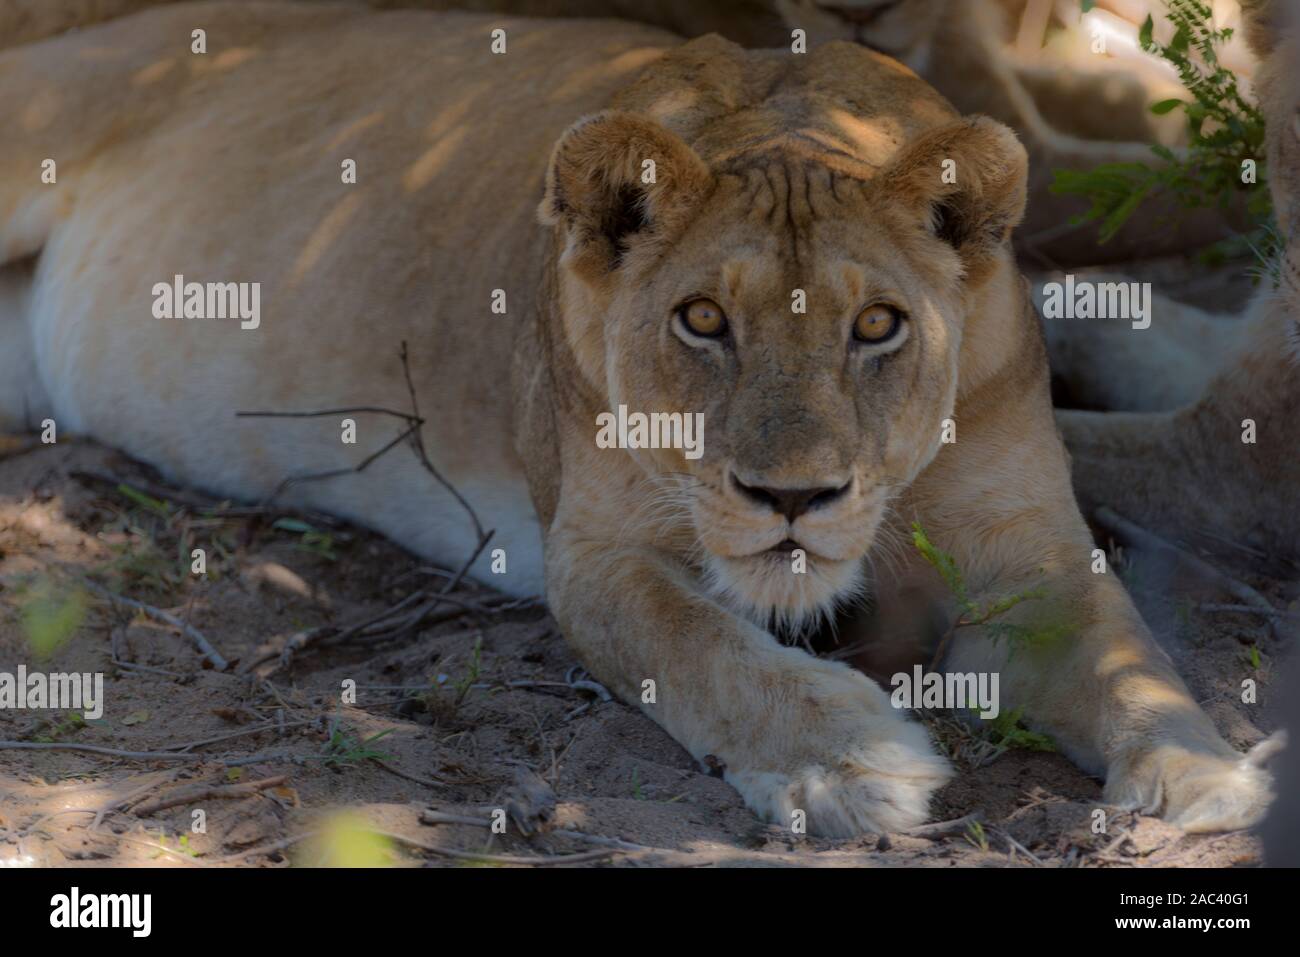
(957, 46)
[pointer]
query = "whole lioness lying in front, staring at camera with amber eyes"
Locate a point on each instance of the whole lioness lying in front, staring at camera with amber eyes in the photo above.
(813, 253)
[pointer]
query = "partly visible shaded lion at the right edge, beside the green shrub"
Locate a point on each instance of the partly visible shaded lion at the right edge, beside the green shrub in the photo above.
(1249, 369)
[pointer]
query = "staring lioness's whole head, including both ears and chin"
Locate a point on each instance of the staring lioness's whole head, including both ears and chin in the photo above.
(788, 245)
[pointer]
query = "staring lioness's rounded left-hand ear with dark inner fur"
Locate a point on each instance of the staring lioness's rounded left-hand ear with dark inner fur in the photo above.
(617, 180)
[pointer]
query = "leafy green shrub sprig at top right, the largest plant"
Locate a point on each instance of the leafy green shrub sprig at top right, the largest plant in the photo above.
(1225, 131)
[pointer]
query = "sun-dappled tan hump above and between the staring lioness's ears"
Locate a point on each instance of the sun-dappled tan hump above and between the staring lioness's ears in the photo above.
(848, 106)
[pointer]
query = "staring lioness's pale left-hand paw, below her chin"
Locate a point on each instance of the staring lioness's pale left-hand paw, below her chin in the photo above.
(881, 787)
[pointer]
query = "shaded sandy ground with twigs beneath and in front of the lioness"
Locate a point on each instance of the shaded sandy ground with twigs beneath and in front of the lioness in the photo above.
(478, 709)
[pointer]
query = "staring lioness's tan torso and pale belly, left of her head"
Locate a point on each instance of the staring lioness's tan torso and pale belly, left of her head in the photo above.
(323, 250)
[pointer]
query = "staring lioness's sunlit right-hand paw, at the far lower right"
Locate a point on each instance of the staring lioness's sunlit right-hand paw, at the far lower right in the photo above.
(1198, 793)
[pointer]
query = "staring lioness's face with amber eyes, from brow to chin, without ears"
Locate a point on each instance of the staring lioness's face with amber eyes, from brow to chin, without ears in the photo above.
(818, 337)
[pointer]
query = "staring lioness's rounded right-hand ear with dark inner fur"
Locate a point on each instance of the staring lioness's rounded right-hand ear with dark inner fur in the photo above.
(969, 179)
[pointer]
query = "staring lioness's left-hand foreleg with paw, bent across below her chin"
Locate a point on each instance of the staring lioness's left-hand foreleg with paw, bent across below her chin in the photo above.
(801, 739)
